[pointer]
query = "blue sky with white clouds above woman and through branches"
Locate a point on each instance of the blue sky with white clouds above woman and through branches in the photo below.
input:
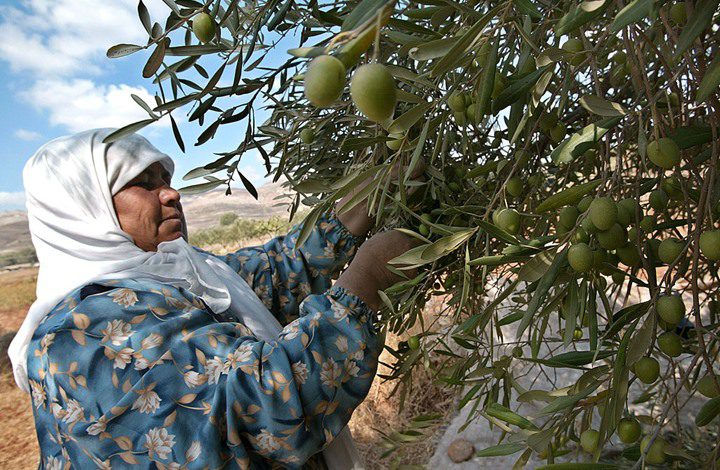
(55, 80)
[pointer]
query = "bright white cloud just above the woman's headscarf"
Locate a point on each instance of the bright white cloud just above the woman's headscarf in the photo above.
(81, 104)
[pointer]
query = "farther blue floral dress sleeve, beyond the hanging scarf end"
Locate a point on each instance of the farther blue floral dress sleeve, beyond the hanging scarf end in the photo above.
(282, 276)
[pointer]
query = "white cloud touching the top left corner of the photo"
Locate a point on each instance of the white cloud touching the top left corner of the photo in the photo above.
(62, 37)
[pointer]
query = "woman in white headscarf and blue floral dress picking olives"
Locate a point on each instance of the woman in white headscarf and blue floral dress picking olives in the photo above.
(141, 350)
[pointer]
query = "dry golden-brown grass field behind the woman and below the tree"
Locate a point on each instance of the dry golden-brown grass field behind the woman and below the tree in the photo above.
(379, 411)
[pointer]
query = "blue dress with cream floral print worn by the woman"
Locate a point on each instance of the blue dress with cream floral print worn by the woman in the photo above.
(141, 374)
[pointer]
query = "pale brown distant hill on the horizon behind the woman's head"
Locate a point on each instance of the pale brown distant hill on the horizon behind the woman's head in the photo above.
(201, 211)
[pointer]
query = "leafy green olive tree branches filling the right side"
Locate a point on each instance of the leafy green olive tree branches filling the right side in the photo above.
(566, 96)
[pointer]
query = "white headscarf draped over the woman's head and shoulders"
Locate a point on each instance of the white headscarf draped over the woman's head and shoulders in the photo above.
(69, 185)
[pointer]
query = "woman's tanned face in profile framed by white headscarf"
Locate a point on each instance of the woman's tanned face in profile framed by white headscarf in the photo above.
(149, 210)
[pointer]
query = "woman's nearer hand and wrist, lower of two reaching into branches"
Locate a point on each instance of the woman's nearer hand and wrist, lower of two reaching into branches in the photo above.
(368, 273)
